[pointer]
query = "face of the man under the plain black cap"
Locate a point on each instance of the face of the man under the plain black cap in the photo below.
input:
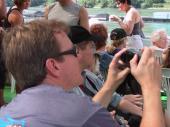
(86, 56)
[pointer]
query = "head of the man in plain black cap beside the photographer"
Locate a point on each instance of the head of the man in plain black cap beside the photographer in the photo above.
(85, 43)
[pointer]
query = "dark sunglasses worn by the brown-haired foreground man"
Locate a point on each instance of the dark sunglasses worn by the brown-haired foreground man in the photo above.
(73, 51)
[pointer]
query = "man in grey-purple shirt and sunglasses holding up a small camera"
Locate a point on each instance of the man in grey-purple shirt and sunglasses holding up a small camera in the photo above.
(46, 66)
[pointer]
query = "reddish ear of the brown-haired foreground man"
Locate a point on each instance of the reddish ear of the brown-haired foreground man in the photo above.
(52, 67)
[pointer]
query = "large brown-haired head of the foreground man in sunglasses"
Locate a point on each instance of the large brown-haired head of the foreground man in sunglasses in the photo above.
(38, 52)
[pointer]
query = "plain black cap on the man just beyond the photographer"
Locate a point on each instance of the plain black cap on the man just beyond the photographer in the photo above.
(79, 34)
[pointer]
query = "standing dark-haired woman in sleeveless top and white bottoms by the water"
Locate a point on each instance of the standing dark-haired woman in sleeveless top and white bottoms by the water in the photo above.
(132, 23)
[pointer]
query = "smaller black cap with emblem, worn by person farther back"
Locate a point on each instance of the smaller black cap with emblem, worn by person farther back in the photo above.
(117, 34)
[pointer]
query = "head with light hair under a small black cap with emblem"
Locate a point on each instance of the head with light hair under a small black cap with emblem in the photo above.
(118, 39)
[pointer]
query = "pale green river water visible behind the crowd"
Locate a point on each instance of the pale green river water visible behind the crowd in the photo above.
(148, 28)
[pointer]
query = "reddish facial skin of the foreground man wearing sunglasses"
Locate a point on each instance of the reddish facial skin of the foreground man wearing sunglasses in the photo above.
(70, 72)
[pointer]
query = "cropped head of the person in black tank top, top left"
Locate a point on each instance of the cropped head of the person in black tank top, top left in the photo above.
(23, 4)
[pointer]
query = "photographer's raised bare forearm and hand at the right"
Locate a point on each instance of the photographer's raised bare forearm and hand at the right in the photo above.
(148, 73)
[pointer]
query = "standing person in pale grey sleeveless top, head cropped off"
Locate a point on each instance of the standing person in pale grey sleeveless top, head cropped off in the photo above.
(69, 12)
